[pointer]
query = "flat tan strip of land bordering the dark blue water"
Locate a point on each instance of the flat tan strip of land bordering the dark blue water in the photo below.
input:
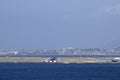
(64, 60)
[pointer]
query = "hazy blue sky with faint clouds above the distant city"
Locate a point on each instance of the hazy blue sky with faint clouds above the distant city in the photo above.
(51, 24)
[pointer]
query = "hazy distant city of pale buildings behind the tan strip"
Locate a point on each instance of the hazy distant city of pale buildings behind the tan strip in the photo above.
(63, 51)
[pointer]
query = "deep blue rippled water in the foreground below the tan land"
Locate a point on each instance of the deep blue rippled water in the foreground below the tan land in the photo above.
(41, 71)
